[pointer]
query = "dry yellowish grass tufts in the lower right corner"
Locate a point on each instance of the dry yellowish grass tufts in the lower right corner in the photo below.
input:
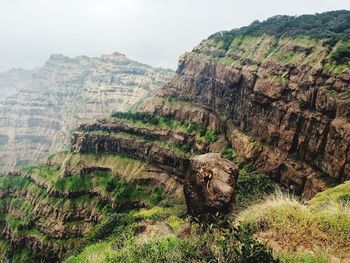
(291, 227)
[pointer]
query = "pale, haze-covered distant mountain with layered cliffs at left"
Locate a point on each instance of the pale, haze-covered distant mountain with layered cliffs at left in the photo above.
(37, 119)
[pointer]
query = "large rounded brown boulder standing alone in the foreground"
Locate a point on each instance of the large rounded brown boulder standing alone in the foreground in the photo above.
(210, 185)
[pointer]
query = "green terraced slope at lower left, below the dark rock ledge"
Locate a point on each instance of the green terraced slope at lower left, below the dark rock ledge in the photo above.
(49, 209)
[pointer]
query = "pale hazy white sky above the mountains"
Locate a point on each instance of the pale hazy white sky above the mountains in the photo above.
(156, 32)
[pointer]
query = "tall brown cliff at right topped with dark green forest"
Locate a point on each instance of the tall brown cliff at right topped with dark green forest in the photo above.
(289, 90)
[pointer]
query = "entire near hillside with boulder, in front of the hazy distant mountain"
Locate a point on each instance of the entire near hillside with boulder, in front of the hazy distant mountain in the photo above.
(243, 156)
